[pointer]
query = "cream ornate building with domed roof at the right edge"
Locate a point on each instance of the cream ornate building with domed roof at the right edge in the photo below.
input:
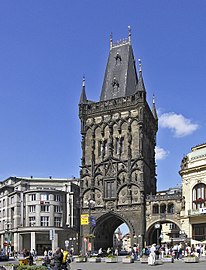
(193, 214)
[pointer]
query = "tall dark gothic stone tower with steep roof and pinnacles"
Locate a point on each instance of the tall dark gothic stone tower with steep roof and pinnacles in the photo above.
(118, 150)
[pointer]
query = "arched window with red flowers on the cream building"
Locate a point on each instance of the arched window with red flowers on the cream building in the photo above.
(199, 196)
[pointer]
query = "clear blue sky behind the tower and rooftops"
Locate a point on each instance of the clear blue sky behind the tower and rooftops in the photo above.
(47, 46)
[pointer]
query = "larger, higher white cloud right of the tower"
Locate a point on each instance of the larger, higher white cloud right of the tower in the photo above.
(179, 125)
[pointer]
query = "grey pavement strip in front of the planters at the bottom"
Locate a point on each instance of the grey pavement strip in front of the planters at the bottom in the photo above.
(177, 265)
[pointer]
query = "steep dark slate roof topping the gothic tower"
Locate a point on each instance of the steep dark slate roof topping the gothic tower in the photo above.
(120, 78)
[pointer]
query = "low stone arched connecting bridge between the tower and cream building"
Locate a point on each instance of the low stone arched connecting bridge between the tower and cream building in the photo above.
(163, 216)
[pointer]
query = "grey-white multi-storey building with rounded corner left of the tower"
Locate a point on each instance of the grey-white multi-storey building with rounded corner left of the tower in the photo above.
(39, 213)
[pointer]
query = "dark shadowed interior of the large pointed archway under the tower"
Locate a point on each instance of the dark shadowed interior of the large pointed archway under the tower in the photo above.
(105, 231)
